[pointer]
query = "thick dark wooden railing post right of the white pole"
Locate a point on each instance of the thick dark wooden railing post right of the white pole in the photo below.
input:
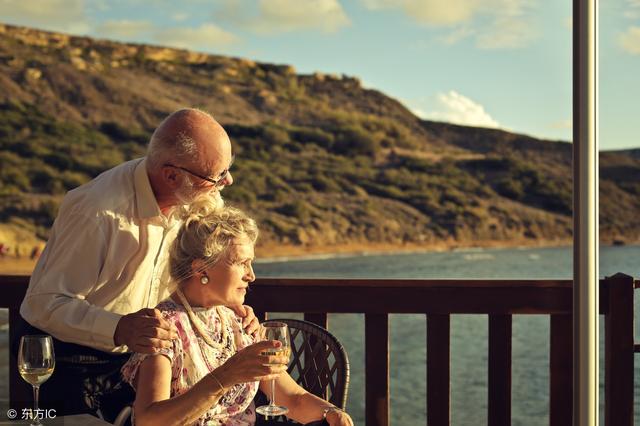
(618, 348)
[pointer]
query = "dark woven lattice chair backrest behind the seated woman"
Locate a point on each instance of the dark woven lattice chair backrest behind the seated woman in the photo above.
(319, 362)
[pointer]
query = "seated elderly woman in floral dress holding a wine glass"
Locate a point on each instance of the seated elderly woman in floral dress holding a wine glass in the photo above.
(212, 371)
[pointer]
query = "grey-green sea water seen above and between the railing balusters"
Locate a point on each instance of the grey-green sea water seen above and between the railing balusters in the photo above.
(530, 345)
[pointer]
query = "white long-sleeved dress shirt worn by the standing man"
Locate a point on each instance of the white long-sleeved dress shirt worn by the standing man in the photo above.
(106, 256)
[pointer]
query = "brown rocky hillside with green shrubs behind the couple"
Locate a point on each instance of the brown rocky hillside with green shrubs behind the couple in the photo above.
(321, 161)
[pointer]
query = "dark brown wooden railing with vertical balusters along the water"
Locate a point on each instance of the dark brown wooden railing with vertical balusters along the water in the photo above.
(438, 300)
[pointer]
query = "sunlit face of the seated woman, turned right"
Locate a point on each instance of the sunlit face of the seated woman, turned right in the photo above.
(229, 279)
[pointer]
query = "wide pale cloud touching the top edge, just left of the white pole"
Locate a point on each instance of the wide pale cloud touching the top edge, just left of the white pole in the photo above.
(494, 24)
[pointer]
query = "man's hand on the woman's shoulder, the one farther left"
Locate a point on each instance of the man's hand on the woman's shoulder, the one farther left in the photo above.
(144, 331)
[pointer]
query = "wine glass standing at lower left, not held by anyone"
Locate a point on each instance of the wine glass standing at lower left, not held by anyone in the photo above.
(36, 362)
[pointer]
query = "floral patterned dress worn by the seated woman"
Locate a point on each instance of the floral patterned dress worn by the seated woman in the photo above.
(192, 358)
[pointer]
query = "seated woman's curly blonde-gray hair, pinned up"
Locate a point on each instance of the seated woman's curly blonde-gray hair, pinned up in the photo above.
(206, 234)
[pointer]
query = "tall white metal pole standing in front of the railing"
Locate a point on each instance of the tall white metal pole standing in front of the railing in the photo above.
(585, 213)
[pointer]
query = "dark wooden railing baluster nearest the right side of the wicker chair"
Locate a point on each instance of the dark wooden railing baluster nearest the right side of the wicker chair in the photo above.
(376, 330)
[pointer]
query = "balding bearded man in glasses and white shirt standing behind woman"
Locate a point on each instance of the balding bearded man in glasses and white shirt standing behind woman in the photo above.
(105, 262)
